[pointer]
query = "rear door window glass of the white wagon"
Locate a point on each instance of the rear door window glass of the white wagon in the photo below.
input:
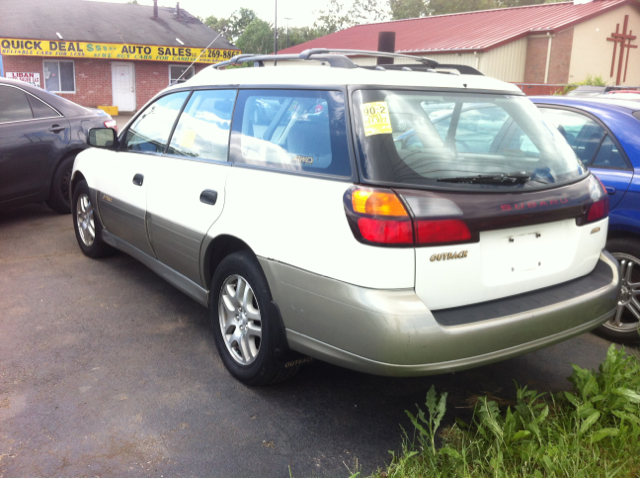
(203, 128)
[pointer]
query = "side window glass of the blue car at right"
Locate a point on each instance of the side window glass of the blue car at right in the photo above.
(589, 140)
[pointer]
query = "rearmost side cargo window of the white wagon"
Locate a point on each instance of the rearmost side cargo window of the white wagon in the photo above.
(292, 130)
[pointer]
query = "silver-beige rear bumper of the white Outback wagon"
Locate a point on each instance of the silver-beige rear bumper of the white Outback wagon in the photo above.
(393, 333)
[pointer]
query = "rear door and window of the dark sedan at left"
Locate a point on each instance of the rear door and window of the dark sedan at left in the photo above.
(32, 136)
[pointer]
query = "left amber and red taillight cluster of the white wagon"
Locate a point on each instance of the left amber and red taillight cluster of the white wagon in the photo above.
(380, 217)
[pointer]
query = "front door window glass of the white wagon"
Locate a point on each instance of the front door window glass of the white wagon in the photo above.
(150, 131)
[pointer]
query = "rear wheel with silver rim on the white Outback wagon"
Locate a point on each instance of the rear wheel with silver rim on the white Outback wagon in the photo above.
(246, 324)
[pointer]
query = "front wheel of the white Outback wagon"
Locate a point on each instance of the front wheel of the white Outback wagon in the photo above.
(87, 224)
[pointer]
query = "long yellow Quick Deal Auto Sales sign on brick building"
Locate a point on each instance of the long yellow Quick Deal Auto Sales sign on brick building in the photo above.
(112, 51)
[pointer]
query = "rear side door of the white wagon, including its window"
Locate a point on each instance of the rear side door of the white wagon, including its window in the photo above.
(187, 193)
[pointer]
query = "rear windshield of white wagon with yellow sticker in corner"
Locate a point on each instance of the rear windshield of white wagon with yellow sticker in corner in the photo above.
(469, 140)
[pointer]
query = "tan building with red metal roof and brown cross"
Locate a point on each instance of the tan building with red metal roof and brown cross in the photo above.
(557, 43)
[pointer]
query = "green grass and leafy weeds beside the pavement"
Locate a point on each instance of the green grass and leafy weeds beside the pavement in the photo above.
(592, 431)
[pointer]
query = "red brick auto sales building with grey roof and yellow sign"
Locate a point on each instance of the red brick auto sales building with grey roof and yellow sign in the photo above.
(98, 53)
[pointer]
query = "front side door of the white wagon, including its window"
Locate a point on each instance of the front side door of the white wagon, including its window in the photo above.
(126, 174)
